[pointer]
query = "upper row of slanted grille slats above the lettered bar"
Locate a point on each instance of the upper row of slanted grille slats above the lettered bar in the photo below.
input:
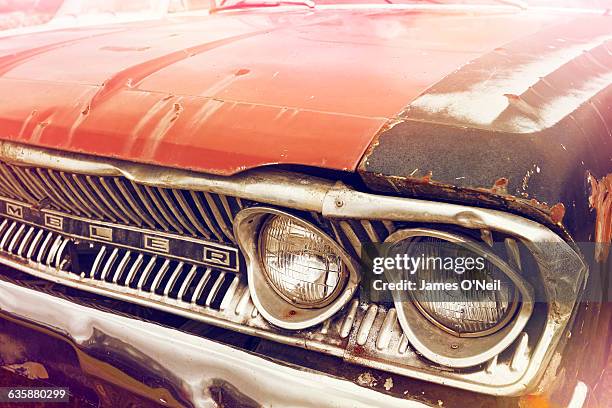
(120, 200)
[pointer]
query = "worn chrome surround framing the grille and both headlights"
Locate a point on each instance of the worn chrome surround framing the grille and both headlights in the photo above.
(356, 334)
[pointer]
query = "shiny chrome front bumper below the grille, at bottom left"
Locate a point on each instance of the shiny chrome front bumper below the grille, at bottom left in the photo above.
(160, 364)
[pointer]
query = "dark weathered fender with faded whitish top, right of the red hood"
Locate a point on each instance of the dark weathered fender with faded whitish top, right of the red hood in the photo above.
(520, 128)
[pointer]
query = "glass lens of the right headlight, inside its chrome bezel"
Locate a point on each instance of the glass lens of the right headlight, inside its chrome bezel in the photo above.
(483, 306)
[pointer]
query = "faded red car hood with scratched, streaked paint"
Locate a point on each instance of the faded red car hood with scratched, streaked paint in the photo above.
(233, 91)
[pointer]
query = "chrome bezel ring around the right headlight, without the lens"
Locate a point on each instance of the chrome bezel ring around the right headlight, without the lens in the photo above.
(440, 345)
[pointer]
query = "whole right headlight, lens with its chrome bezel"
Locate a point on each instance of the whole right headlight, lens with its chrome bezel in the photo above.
(465, 301)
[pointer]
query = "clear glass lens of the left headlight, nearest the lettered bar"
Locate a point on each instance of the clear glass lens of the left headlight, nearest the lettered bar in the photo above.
(300, 265)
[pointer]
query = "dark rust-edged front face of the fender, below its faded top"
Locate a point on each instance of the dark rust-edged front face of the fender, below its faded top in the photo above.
(540, 175)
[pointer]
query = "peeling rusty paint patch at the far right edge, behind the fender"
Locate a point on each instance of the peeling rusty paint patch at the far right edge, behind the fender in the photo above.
(601, 201)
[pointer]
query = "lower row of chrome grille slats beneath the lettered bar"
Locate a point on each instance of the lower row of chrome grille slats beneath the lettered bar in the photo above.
(139, 273)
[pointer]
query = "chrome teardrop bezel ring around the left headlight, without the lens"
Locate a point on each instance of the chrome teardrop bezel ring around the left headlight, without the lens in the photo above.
(274, 307)
